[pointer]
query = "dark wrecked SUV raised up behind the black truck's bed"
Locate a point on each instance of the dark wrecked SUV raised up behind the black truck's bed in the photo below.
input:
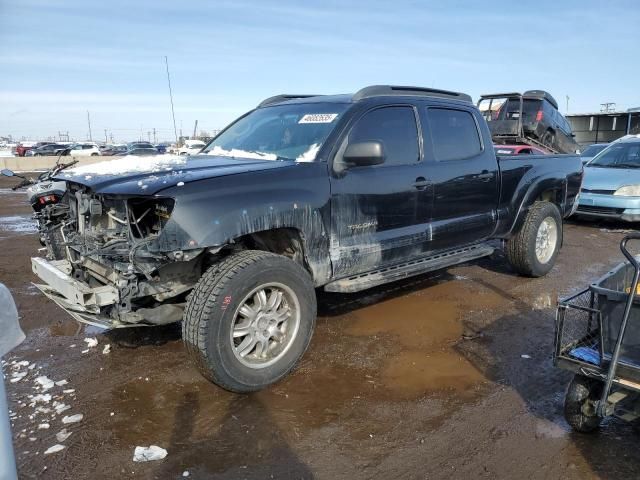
(531, 117)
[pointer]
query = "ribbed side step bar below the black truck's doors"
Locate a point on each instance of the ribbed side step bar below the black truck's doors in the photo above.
(381, 276)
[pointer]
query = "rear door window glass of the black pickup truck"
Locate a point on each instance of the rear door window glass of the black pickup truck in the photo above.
(454, 134)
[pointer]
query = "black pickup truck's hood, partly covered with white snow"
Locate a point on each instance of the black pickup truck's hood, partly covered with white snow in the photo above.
(133, 175)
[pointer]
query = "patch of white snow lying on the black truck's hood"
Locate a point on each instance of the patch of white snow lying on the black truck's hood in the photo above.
(128, 164)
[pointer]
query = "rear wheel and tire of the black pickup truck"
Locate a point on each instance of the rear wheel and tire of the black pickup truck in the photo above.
(521, 249)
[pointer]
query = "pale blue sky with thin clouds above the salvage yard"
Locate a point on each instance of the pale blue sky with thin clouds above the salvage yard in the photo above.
(62, 58)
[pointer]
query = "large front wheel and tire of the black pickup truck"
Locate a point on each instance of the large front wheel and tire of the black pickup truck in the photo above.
(213, 310)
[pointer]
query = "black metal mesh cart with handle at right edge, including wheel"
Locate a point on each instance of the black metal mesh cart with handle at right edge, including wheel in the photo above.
(598, 338)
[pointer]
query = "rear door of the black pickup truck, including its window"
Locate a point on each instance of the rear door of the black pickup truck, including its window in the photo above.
(464, 173)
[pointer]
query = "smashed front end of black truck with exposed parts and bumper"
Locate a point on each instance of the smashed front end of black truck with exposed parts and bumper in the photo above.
(111, 269)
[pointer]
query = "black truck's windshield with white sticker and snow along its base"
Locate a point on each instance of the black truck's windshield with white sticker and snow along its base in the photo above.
(282, 132)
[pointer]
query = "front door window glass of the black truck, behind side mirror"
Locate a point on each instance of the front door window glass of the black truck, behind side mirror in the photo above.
(395, 128)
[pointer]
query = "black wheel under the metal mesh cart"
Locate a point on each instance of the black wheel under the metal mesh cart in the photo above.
(580, 404)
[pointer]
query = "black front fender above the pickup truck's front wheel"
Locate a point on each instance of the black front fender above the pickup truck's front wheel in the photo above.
(215, 212)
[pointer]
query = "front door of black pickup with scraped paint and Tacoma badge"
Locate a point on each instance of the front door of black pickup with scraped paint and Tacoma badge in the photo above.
(374, 208)
